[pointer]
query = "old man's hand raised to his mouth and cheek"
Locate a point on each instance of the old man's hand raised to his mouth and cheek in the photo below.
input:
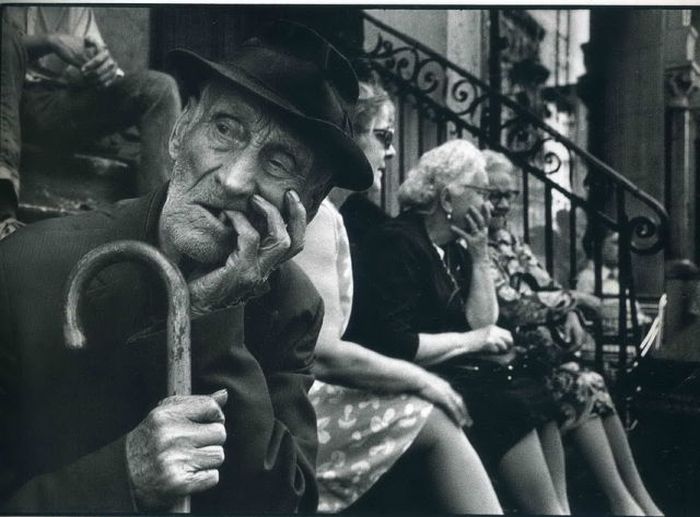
(254, 258)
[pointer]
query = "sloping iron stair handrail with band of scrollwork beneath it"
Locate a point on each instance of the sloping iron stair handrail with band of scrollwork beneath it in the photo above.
(458, 101)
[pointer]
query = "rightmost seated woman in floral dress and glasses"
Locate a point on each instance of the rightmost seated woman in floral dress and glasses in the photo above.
(528, 297)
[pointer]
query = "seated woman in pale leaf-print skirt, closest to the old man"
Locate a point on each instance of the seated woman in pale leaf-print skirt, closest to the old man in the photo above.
(371, 409)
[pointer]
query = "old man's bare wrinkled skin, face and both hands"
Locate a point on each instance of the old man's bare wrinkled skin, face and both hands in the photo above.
(235, 209)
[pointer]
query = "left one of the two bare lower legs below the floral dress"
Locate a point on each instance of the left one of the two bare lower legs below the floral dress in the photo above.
(592, 441)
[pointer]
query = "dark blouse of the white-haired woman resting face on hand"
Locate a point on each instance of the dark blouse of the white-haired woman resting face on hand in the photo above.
(405, 289)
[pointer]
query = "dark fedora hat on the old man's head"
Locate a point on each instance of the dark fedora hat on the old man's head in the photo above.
(295, 70)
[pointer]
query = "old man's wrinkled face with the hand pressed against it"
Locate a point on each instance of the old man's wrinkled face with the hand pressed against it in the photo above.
(237, 203)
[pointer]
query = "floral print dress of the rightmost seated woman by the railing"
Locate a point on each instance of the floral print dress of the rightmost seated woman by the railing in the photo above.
(531, 303)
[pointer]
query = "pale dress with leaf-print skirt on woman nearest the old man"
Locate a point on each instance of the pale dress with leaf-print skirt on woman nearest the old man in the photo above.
(360, 434)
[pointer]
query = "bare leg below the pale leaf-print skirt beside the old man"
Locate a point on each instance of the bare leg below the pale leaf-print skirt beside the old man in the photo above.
(461, 482)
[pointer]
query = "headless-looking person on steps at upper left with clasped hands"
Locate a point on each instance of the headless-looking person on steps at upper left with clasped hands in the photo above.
(61, 87)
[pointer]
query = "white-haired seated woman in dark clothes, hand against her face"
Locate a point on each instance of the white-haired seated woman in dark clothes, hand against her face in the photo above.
(410, 307)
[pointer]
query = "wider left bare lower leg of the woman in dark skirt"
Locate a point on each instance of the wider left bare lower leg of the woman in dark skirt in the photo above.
(525, 472)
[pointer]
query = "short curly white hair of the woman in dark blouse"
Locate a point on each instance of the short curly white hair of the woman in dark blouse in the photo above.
(437, 169)
